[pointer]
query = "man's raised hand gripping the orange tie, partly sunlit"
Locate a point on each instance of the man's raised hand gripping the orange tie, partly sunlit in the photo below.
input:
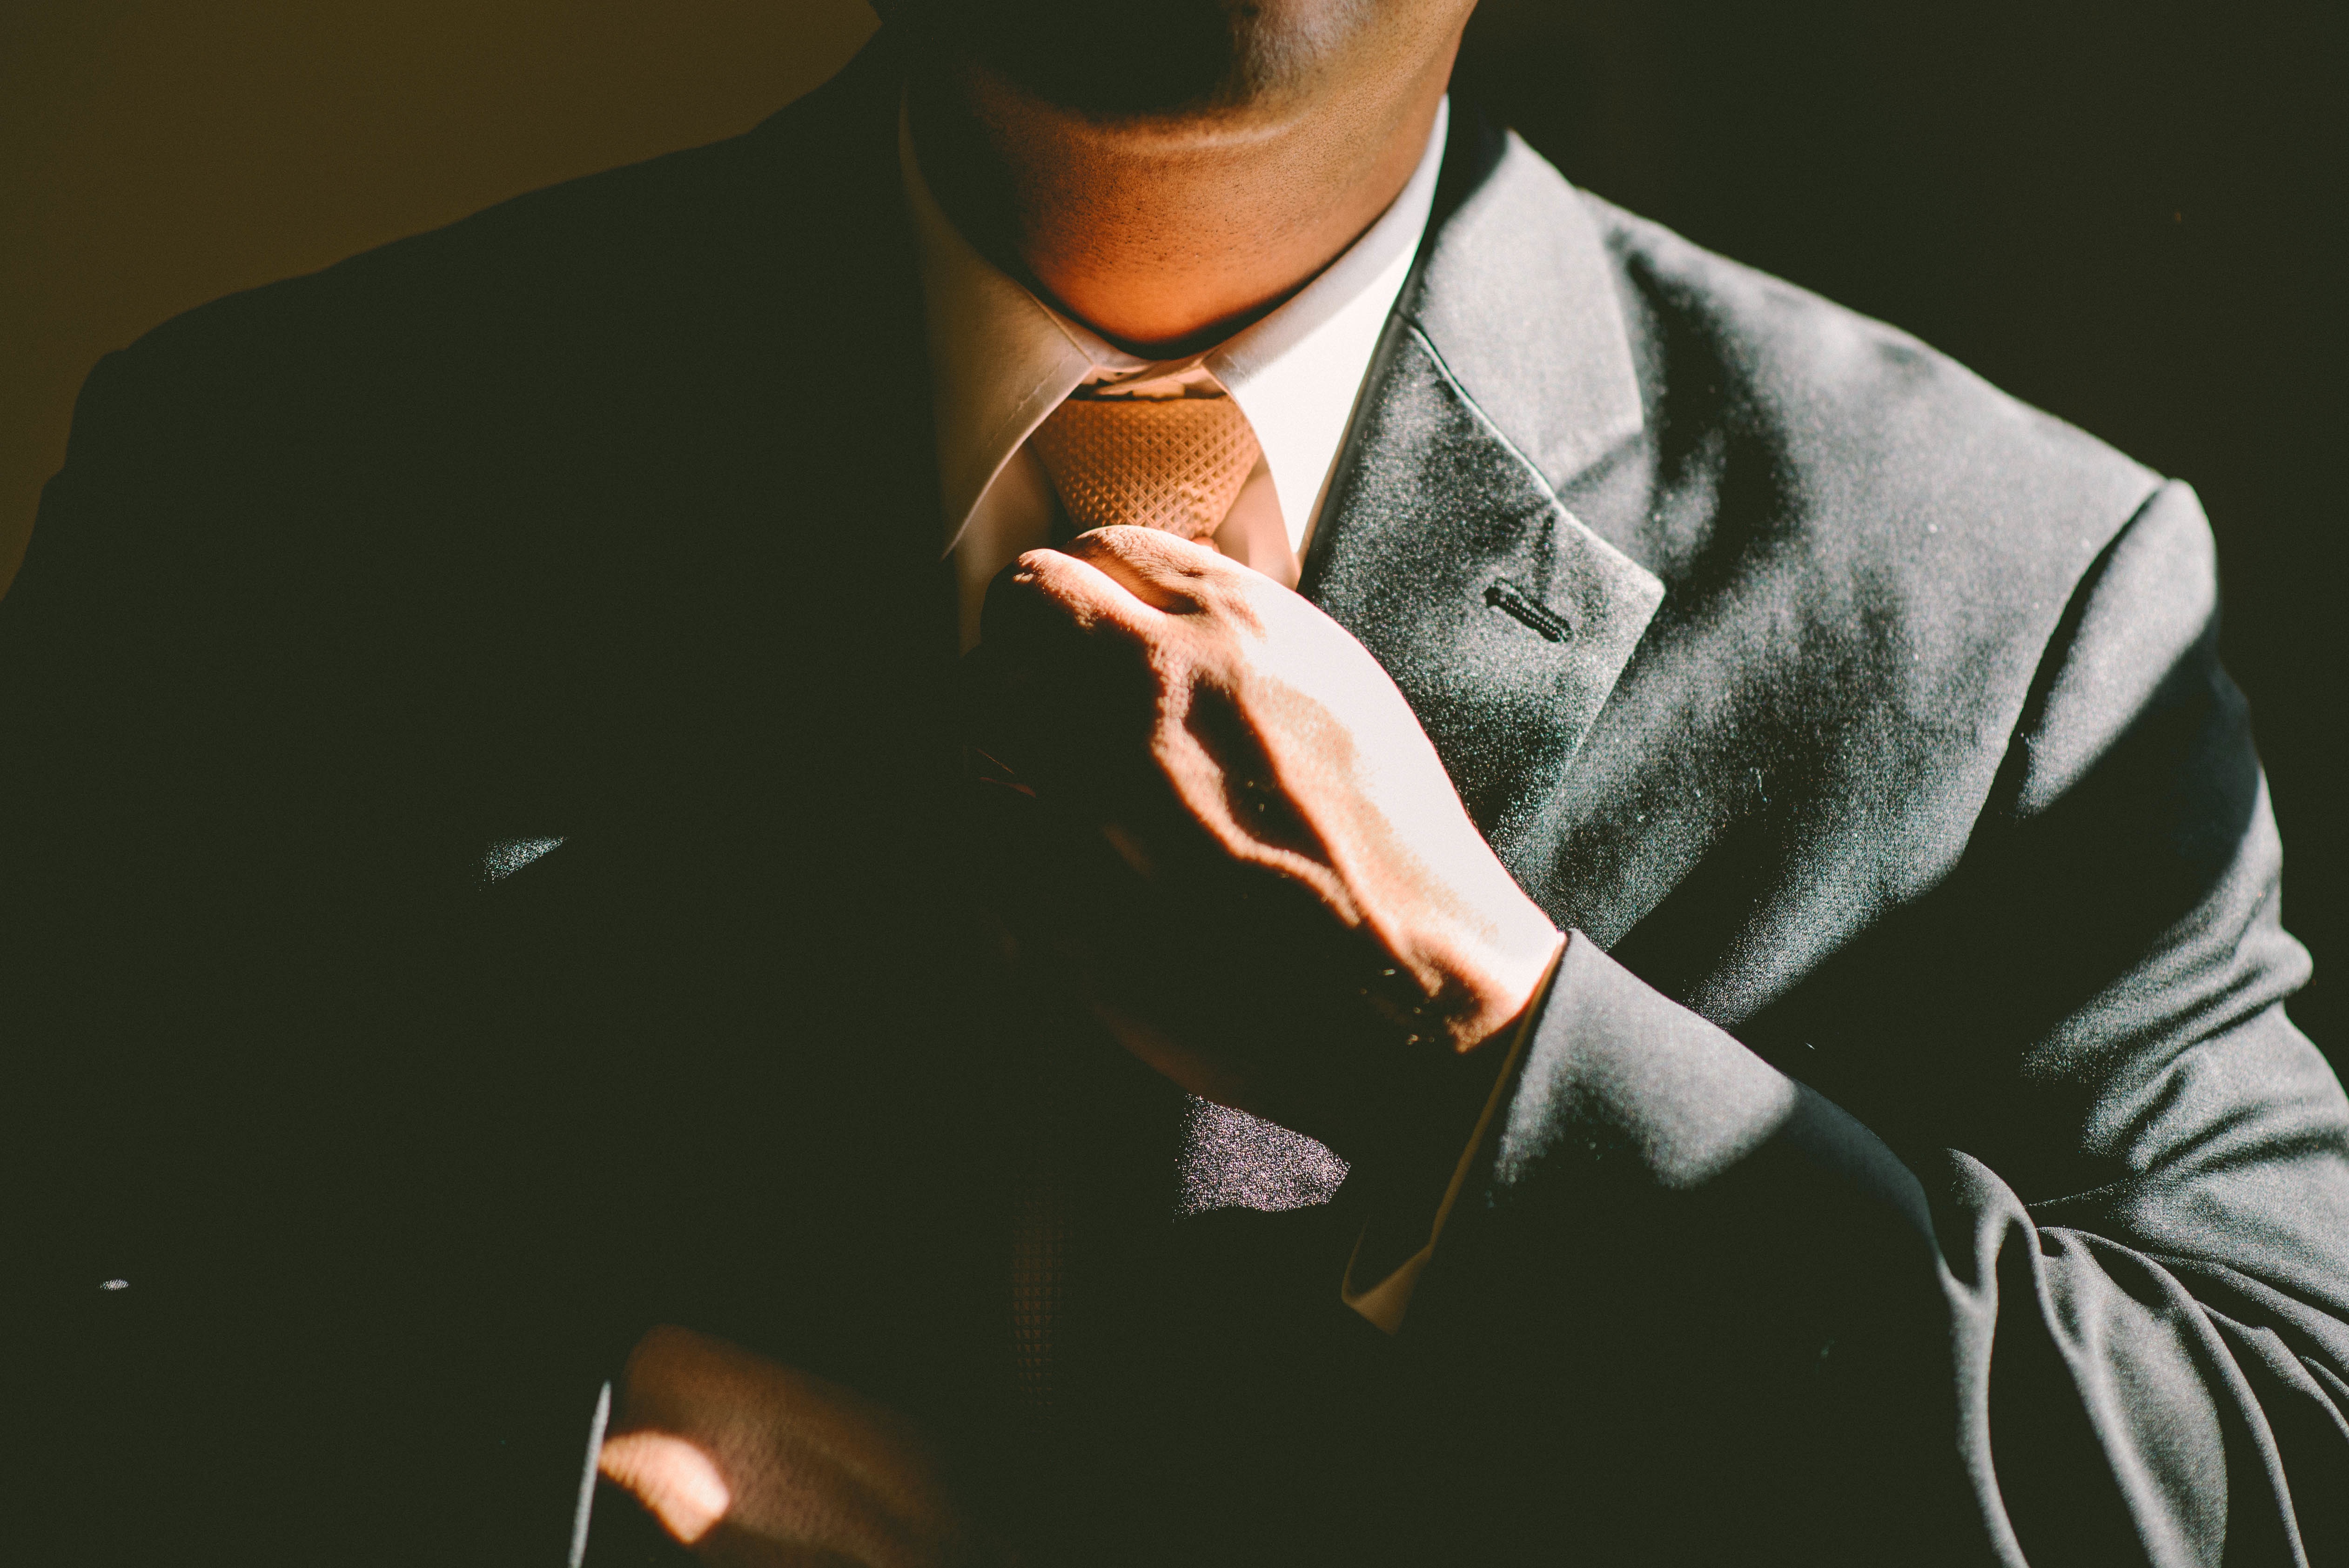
(1307, 921)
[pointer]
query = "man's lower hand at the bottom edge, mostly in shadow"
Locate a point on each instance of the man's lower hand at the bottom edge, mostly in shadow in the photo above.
(762, 1466)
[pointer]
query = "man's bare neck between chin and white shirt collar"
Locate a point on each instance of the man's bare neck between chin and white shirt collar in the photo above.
(1169, 236)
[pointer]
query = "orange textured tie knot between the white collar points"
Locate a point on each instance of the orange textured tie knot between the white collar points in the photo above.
(1171, 464)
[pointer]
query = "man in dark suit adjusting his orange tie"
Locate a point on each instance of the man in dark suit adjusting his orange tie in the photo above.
(1690, 914)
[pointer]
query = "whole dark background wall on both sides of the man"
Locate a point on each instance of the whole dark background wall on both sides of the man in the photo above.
(2122, 212)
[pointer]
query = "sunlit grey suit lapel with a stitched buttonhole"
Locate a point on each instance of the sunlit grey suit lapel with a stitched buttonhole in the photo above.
(1502, 377)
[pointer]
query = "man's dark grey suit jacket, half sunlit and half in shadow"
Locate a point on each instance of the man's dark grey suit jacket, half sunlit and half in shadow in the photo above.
(1911, 1165)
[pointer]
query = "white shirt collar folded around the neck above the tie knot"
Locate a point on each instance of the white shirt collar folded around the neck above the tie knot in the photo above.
(1002, 360)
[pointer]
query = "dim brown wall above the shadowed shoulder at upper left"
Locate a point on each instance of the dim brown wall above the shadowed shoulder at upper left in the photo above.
(159, 154)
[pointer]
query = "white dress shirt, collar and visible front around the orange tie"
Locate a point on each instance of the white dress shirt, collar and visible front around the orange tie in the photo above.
(1002, 360)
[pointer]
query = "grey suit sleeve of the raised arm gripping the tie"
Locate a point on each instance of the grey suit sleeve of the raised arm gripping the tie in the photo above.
(2059, 1276)
